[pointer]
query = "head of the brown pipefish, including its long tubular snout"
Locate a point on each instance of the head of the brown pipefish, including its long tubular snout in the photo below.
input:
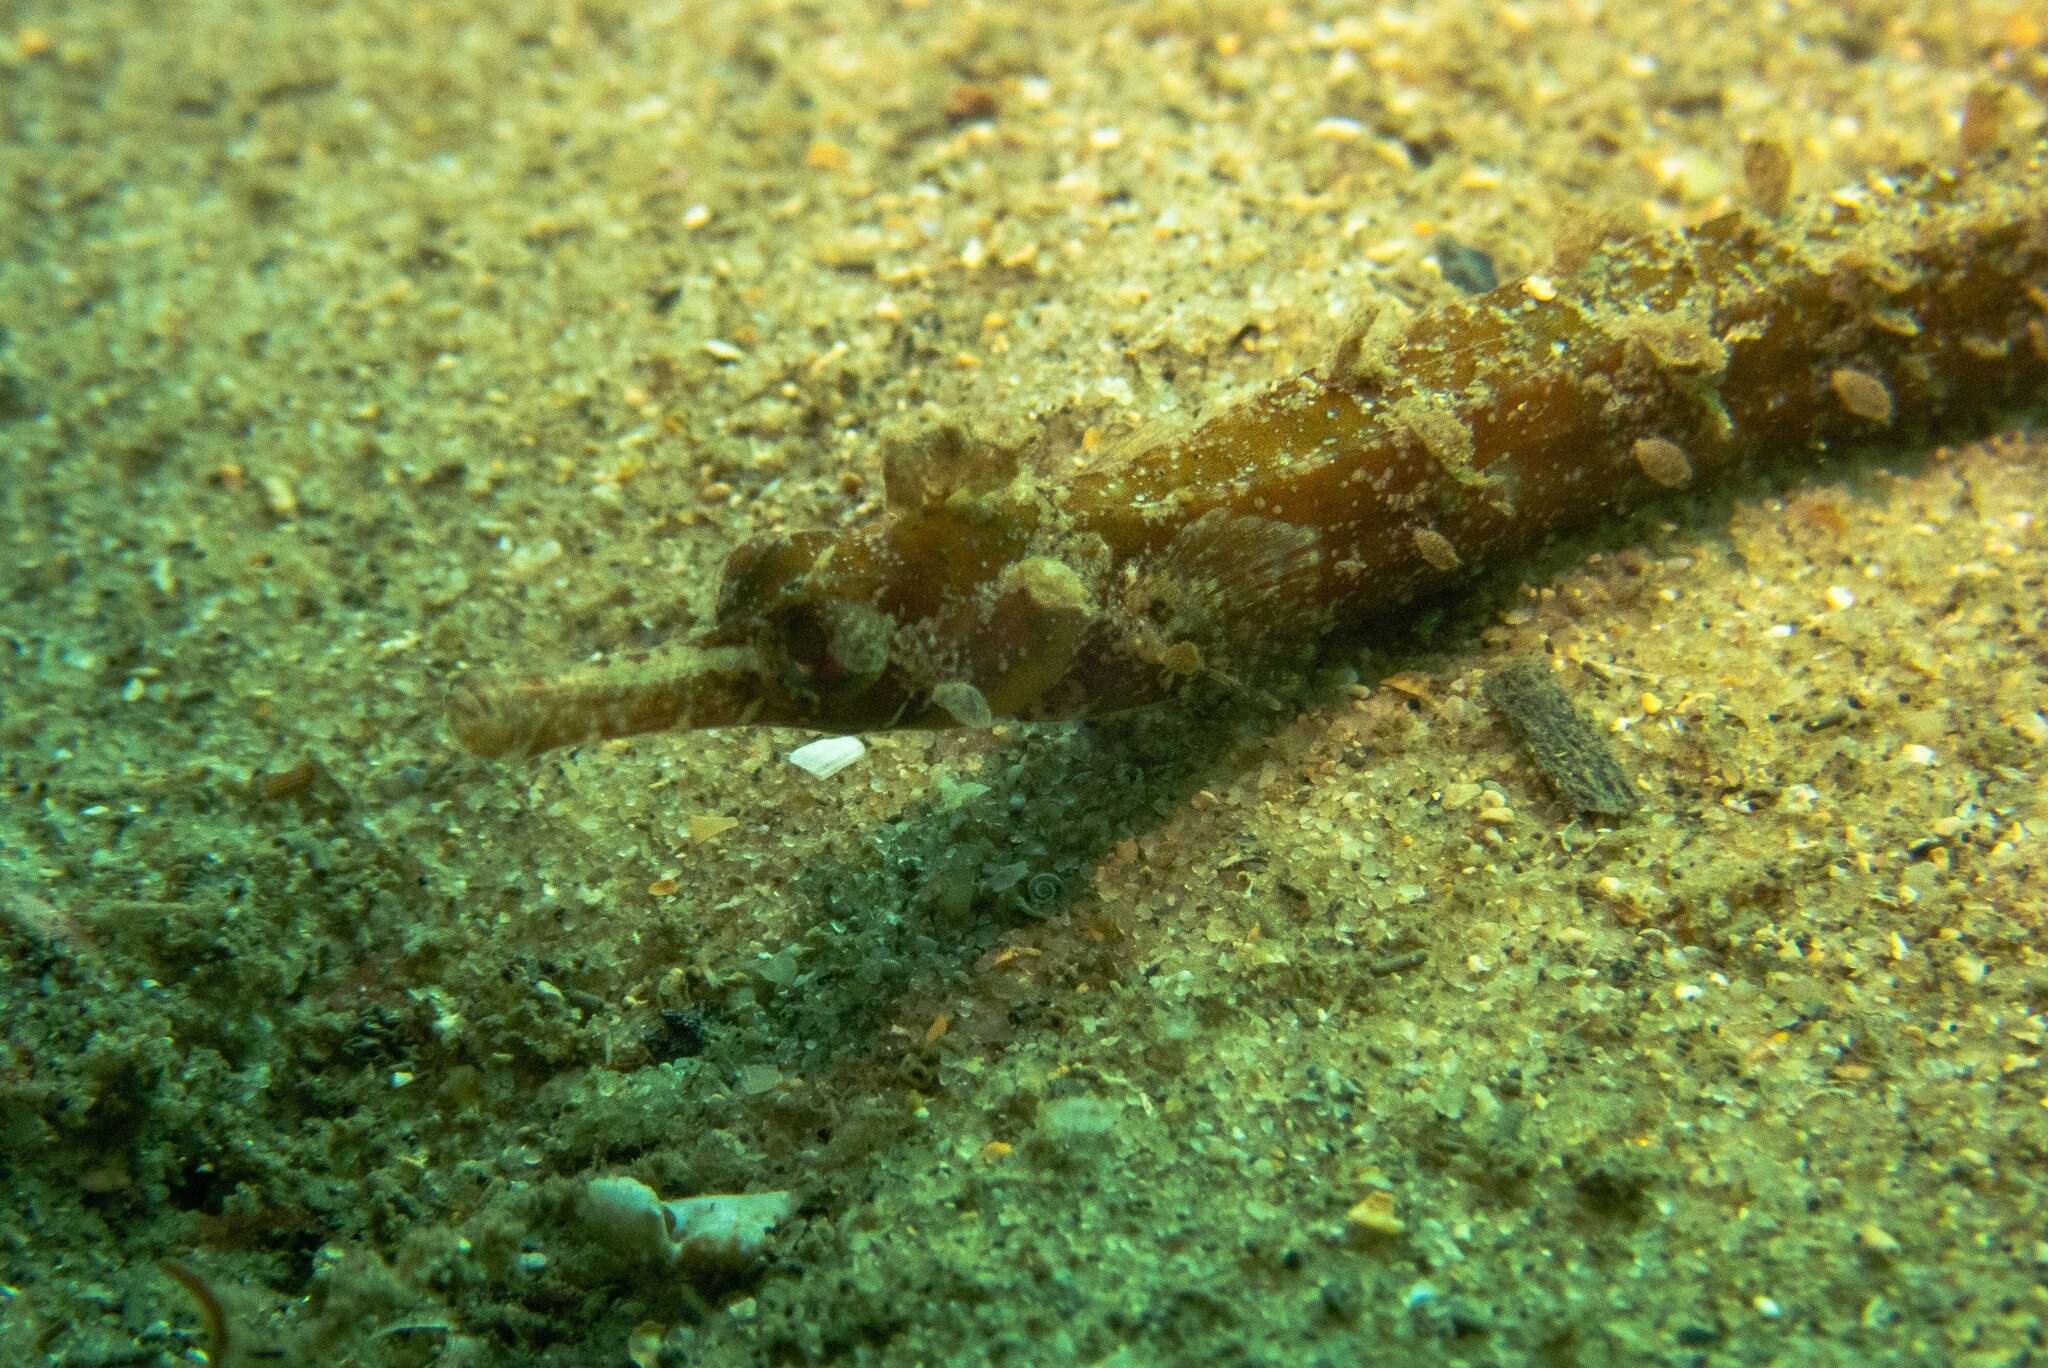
(937, 619)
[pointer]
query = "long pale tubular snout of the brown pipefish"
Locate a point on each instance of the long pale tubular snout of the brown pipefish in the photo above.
(675, 691)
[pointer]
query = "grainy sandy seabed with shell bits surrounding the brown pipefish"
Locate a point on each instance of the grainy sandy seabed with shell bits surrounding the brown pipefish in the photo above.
(351, 347)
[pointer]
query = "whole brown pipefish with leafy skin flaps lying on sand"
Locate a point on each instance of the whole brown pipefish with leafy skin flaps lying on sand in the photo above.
(1416, 456)
